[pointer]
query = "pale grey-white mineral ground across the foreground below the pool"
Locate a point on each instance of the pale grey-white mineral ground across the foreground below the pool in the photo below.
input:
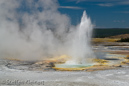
(114, 77)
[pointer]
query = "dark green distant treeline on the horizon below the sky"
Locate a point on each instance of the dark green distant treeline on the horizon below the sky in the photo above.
(102, 33)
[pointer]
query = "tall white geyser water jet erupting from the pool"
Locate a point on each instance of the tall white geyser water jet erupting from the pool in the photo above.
(81, 47)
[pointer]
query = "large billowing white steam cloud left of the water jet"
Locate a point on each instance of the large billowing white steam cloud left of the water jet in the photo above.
(34, 30)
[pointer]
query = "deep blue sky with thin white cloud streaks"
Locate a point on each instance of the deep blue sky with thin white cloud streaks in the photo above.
(103, 13)
